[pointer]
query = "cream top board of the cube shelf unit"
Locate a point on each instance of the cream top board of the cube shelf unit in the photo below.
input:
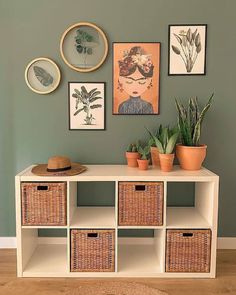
(123, 172)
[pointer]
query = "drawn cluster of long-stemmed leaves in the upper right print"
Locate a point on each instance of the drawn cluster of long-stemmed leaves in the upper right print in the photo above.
(189, 47)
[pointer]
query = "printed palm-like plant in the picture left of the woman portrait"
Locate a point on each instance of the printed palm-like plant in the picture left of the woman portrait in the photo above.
(85, 103)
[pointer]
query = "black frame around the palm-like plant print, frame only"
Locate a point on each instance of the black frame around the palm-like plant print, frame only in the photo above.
(69, 107)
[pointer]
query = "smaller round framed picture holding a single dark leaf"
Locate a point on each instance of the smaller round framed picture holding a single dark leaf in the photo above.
(42, 75)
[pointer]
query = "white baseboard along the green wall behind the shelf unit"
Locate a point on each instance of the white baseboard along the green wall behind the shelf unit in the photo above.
(10, 242)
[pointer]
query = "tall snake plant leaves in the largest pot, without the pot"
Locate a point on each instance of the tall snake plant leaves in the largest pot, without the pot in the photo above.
(190, 119)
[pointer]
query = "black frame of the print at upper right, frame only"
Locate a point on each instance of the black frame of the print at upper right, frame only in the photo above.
(169, 49)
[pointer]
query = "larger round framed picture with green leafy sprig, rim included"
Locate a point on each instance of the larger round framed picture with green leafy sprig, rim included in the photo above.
(84, 47)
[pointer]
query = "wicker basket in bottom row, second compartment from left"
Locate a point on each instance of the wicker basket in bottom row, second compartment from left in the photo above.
(92, 250)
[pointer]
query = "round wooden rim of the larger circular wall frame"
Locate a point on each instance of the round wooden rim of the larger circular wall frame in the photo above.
(105, 44)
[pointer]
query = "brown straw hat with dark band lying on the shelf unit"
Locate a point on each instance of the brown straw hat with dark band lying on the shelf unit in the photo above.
(58, 166)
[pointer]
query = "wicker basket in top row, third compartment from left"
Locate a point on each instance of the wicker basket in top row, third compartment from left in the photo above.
(141, 203)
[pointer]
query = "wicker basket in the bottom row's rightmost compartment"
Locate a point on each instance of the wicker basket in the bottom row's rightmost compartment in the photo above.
(188, 250)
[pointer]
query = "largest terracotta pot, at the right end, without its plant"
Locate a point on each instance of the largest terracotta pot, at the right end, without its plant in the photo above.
(191, 157)
